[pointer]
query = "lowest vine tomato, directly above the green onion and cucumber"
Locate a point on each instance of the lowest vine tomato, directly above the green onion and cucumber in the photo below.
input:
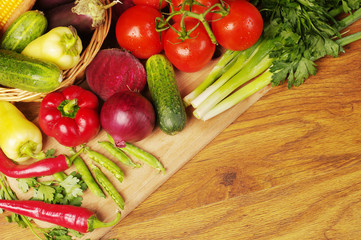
(193, 53)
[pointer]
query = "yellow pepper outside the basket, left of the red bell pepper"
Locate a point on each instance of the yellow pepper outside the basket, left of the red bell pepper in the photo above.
(20, 139)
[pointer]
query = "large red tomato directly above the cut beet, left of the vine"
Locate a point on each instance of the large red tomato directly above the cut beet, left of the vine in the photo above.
(135, 31)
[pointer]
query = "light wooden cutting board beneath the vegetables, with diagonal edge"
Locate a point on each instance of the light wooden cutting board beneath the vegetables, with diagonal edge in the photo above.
(172, 151)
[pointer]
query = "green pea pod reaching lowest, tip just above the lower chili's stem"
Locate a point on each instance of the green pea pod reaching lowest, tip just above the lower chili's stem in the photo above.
(108, 186)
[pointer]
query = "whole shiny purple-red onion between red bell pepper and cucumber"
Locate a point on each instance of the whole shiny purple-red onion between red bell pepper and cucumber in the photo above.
(127, 116)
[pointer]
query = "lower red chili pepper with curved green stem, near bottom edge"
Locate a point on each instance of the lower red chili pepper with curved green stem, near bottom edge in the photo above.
(77, 218)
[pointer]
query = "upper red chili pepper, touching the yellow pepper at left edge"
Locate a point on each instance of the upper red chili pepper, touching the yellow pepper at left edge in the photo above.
(43, 167)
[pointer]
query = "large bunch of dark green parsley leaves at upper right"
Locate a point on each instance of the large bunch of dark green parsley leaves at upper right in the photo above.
(306, 29)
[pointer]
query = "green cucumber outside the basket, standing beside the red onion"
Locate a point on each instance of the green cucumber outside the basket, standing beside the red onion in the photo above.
(163, 88)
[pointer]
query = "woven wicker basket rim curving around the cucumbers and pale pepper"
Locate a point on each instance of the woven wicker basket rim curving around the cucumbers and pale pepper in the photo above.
(74, 75)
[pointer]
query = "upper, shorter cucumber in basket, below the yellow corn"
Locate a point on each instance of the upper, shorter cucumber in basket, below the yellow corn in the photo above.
(27, 27)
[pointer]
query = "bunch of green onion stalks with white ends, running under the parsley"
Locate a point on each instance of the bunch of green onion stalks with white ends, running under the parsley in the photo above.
(226, 86)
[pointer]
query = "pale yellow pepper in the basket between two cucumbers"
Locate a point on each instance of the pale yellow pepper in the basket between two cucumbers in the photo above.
(61, 46)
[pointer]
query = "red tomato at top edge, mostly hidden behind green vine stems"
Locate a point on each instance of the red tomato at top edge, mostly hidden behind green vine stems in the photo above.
(177, 4)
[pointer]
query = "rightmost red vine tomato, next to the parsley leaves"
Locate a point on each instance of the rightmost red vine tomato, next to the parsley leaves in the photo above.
(241, 28)
